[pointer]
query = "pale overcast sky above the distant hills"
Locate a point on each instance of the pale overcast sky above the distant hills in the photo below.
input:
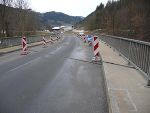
(70, 7)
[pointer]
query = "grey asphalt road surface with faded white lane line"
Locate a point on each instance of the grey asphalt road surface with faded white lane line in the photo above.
(56, 79)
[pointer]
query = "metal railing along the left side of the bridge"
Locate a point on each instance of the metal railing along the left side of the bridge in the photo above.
(14, 41)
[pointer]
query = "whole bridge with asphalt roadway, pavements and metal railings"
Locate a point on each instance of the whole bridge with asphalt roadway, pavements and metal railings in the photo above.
(62, 79)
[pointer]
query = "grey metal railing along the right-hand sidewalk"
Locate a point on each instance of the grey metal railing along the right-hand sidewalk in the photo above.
(136, 52)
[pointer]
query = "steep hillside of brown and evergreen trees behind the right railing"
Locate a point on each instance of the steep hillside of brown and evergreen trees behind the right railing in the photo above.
(127, 18)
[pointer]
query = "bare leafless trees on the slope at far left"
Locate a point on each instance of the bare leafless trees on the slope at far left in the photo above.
(16, 19)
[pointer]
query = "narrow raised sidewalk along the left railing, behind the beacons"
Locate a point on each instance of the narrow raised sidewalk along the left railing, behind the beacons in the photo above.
(16, 48)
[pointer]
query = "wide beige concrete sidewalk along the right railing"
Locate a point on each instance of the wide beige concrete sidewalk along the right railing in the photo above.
(126, 86)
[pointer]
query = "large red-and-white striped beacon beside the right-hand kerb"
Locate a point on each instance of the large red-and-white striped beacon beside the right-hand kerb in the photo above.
(96, 48)
